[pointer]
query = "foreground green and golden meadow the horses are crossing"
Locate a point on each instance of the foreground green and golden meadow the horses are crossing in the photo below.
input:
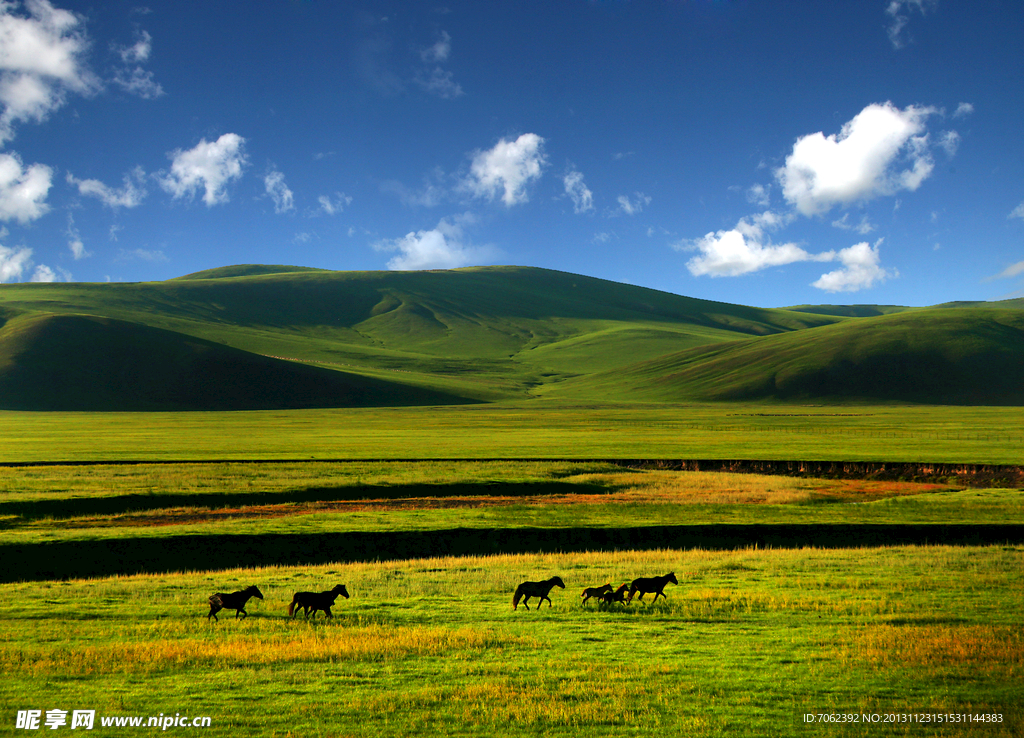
(749, 643)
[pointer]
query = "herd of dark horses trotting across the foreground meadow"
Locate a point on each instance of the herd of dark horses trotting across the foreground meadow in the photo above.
(313, 602)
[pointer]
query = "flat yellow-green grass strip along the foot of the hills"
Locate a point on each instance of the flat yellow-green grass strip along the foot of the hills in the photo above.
(866, 433)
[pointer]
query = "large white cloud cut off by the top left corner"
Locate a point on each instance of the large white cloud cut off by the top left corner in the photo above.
(41, 60)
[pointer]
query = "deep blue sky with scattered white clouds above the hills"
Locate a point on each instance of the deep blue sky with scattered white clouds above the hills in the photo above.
(759, 153)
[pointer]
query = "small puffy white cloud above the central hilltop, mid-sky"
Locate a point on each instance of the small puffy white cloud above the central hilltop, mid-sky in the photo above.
(507, 168)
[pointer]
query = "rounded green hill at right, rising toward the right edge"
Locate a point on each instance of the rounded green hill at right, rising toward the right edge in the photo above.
(969, 357)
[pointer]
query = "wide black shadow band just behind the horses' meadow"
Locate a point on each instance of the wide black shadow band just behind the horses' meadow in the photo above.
(60, 560)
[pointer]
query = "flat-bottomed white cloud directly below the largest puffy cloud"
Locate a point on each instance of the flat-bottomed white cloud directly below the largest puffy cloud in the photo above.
(745, 249)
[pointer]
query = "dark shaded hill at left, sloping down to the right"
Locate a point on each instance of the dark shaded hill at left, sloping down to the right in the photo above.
(81, 363)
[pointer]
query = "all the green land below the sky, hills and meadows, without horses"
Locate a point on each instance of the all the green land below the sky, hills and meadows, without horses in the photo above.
(479, 428)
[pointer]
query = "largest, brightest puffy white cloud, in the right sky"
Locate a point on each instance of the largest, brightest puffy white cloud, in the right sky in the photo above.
(861, 162)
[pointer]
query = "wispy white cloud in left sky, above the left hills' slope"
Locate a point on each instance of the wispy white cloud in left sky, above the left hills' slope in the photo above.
(210, 165)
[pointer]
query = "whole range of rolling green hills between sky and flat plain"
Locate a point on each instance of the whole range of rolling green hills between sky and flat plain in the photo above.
(271, 336)
